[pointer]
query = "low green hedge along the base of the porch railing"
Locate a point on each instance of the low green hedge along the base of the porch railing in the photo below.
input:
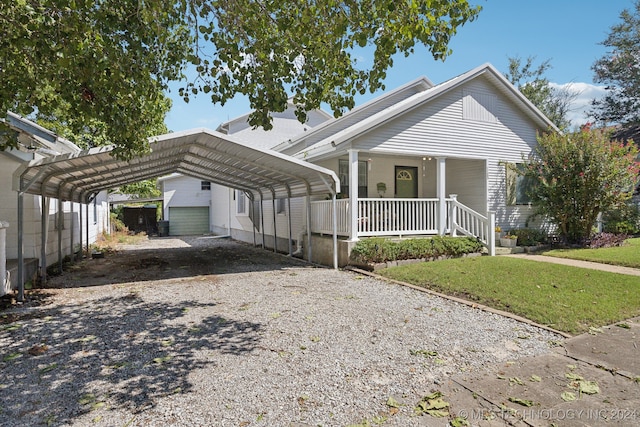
(375, 250)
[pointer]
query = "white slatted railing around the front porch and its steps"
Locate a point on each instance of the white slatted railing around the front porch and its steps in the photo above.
(400, 217)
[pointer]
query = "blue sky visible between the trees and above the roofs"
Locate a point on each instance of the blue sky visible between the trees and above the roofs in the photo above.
(568, 32)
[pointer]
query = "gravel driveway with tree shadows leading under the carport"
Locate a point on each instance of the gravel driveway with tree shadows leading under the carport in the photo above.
(211, 332)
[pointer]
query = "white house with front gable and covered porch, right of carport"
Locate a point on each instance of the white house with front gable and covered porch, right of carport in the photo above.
(422, 159)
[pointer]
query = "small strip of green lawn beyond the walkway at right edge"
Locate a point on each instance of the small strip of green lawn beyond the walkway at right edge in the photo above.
(627, 255)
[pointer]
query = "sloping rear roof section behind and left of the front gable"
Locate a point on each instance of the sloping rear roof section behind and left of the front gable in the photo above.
(354, 116)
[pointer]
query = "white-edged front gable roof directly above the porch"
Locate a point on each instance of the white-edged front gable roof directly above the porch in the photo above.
(332, 140)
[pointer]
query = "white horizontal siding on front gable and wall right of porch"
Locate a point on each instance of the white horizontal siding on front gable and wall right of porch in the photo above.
(438, 129)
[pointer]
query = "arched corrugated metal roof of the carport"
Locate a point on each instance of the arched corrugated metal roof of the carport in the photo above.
(200, 153)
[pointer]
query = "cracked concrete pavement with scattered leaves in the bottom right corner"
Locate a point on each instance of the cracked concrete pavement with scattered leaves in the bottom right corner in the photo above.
(591, 380)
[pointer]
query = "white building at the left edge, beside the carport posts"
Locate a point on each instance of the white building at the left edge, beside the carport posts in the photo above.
(50, 228)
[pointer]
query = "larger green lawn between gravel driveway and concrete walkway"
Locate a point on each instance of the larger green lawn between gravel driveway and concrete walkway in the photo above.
(569, 299)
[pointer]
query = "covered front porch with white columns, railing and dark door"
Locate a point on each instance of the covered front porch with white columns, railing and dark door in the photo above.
(359, 217)
